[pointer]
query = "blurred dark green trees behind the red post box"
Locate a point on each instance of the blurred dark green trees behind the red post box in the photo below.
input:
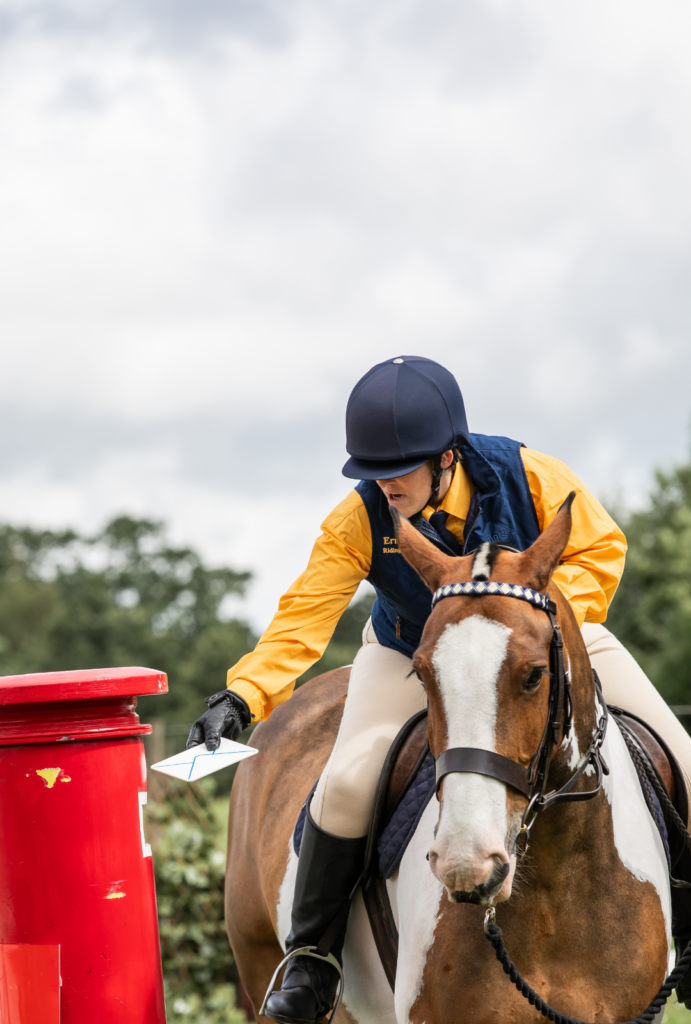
(124, 596)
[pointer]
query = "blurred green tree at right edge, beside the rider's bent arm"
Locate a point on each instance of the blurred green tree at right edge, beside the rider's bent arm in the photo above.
(652, 612)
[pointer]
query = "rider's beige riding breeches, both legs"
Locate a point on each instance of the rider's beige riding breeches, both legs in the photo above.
(382, 696)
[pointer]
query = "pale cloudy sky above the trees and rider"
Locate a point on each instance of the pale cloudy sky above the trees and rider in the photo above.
(215, 217)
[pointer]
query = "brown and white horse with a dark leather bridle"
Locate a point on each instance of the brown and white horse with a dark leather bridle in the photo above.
(585, 913)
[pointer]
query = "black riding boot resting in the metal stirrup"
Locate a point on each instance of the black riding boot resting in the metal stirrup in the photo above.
(328, 870)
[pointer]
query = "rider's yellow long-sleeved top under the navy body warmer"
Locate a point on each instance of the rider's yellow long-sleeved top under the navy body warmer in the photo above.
(301, 629)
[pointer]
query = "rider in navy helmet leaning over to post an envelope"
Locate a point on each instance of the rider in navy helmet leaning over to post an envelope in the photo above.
(410, 446)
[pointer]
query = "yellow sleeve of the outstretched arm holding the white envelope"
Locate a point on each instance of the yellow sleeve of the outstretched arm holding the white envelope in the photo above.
(309, 612)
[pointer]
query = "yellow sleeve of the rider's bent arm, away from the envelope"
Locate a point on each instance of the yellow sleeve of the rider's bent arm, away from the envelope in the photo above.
(593, 563)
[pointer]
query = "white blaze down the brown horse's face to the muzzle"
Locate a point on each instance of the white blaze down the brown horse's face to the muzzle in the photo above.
(471, 837)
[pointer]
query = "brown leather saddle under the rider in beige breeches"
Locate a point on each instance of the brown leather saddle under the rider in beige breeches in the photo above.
(407, 786)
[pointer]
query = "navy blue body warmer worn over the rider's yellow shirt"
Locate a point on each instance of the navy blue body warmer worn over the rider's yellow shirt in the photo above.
(502, 510)
